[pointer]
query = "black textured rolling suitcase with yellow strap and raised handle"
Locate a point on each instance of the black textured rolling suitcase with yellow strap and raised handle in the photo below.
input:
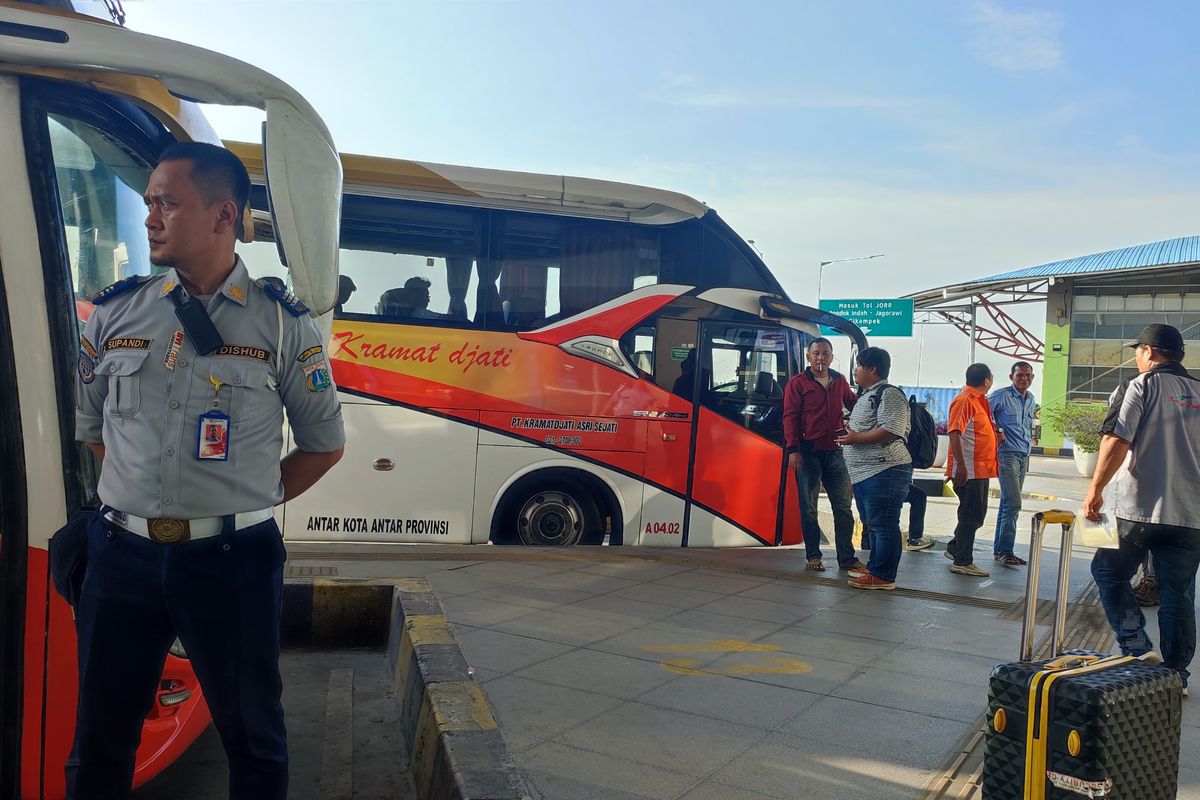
(1079, 724)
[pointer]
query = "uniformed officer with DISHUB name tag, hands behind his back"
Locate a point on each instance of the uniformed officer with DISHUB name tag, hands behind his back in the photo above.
(183, 383)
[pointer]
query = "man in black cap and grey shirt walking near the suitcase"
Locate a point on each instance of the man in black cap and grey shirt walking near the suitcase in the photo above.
(1151, 453)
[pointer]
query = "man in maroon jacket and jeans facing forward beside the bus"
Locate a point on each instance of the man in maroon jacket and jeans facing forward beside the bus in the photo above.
(813, 414)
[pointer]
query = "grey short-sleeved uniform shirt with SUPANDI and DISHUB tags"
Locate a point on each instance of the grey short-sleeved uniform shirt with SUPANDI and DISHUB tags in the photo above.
(142, 389)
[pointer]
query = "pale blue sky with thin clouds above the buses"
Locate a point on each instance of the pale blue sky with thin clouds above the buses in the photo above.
(959, 140)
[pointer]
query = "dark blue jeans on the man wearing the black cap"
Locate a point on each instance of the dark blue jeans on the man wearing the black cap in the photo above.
(1177, 557)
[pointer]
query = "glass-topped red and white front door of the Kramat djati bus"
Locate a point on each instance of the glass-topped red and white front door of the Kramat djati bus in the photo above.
(739, 467)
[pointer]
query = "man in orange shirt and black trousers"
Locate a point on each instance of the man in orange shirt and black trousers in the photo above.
(971, 465)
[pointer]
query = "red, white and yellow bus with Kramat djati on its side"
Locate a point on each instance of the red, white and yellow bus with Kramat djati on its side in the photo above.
(551, 360)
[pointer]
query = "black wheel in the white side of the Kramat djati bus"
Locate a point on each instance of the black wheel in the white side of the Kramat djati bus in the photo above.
(551, 509)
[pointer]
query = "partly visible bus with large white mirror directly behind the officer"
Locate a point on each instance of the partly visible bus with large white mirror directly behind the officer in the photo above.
(86, 107)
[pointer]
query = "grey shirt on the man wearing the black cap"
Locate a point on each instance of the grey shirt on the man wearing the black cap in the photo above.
(1159, 413)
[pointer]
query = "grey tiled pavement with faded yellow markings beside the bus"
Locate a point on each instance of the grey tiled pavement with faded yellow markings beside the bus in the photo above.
(698, 676)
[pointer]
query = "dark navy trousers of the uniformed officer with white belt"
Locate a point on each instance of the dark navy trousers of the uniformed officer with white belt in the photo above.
(223, 598)
